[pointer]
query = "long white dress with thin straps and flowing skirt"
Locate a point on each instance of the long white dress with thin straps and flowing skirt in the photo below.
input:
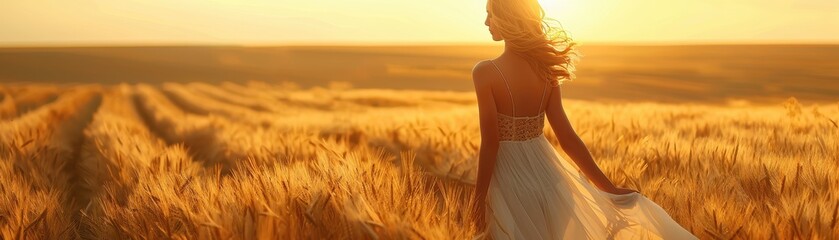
(536, 194)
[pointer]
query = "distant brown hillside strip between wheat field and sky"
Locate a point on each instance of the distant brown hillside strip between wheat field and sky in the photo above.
(712, 73)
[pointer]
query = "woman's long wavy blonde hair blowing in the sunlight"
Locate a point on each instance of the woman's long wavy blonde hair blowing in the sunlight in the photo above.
(526, 29)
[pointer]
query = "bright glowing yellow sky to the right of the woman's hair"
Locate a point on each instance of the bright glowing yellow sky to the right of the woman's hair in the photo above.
(653, 21)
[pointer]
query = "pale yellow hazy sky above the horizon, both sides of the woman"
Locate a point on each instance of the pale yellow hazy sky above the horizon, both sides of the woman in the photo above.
(260, 22)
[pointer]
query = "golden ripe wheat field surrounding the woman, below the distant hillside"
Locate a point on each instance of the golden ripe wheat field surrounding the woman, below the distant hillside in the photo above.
(274, 161)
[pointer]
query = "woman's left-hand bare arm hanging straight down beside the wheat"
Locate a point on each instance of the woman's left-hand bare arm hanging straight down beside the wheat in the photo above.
(482, 76)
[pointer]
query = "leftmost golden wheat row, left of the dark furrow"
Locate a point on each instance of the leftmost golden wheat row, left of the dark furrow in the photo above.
(38, 151)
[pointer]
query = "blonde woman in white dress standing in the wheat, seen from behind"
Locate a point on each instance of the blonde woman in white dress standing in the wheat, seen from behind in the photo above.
(525, 189)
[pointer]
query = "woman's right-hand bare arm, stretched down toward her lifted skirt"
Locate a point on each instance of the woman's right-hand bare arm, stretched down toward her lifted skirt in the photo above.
(574, 146)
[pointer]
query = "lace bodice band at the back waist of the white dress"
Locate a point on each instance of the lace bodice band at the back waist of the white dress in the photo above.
(520, 128)
